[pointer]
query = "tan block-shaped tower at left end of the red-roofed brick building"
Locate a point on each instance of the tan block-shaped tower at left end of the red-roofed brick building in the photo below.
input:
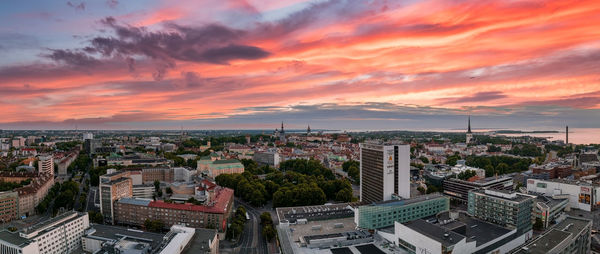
(112, 187)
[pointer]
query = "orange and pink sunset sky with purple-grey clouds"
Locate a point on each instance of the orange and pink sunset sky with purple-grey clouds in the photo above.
(251, 64)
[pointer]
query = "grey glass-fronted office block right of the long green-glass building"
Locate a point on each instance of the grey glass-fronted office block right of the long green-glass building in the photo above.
(506, 208)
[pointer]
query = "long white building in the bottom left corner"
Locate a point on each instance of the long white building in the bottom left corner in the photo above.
(61, 234)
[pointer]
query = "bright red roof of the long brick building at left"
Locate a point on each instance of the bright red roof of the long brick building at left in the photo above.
(220, 203)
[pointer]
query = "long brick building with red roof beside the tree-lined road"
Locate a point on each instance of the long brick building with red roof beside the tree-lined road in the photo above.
(214, 214)
